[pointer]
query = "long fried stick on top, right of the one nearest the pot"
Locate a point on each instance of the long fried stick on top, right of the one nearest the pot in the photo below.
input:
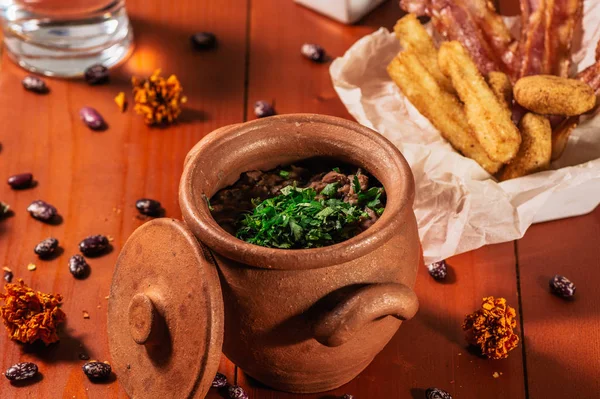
(488, 117)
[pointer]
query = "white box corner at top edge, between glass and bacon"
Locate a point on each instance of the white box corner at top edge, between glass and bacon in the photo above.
(345, 11)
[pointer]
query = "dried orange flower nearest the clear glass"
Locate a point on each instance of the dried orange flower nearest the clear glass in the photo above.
(157, 99)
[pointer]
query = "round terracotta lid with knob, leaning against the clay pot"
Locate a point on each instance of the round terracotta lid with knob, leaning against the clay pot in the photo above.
(165, 314)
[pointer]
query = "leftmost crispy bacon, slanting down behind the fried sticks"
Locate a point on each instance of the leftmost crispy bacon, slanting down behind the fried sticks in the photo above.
(476, 25)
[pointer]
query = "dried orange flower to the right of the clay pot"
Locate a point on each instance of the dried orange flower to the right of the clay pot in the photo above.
(491, 328)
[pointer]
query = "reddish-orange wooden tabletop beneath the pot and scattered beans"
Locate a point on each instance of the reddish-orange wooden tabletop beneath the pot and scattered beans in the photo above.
(94, 180)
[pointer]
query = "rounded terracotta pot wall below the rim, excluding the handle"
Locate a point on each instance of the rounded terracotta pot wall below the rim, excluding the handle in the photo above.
(270, 316)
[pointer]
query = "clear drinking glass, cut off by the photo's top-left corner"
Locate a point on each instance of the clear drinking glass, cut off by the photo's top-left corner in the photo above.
(64, 37)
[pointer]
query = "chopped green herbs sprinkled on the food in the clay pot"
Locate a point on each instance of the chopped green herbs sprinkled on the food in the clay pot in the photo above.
(296, 219)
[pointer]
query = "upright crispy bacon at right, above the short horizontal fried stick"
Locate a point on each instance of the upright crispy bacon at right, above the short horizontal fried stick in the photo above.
(546, 35)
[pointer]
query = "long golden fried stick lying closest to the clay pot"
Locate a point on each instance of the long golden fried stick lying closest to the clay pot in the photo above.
(440, 107)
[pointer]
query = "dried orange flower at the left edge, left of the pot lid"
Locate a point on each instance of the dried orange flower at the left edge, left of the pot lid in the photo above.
(31, 315)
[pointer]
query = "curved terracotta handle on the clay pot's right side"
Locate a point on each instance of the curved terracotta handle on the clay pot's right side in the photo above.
(368, 304)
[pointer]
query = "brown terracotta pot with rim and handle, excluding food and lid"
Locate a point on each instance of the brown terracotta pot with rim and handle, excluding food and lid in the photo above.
(277, 301)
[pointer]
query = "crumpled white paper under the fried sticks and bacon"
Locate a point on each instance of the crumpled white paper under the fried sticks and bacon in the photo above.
(458, 206)
